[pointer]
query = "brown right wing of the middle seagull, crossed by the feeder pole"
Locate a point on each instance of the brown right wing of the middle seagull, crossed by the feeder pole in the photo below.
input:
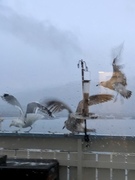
(95, 99)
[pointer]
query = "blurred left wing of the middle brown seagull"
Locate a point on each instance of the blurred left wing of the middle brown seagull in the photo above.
(56, 106)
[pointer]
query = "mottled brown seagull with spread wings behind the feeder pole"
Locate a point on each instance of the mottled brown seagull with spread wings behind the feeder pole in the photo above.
(74, 123)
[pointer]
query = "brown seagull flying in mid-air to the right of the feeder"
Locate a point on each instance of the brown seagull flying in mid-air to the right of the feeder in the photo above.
(118, 81)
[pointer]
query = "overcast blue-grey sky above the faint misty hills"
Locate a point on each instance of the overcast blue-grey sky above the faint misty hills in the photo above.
(42, 41)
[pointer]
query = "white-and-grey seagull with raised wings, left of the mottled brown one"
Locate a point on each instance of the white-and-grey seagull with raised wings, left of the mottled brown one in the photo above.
(27, 118)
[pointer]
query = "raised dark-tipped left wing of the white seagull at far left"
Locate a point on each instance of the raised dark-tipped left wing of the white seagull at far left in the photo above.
(13, 101)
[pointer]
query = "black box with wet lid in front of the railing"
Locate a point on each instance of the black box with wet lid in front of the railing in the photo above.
(30, 168)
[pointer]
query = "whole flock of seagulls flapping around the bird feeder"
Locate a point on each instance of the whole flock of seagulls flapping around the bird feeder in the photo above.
(49, 107)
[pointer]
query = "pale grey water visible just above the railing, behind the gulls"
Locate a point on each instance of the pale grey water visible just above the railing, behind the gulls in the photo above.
(120, 127)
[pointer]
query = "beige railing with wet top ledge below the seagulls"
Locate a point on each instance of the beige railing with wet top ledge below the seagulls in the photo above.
(106, 157)
